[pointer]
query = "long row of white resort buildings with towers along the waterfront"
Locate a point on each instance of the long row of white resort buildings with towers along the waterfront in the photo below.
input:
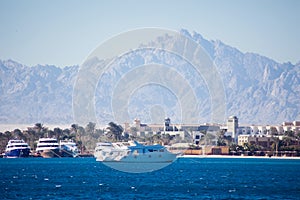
(195, 133)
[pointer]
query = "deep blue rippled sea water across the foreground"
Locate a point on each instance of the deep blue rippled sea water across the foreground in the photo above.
(187, 178)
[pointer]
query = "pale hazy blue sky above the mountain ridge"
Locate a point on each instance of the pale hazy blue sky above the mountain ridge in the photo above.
(65, 32)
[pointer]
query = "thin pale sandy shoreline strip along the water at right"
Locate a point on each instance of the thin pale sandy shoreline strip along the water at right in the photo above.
(236, 157)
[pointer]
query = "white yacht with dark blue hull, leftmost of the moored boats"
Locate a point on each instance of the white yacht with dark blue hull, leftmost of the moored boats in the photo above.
(16, 149)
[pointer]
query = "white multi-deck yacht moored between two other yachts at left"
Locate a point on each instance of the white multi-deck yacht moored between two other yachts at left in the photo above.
(48, 148)
